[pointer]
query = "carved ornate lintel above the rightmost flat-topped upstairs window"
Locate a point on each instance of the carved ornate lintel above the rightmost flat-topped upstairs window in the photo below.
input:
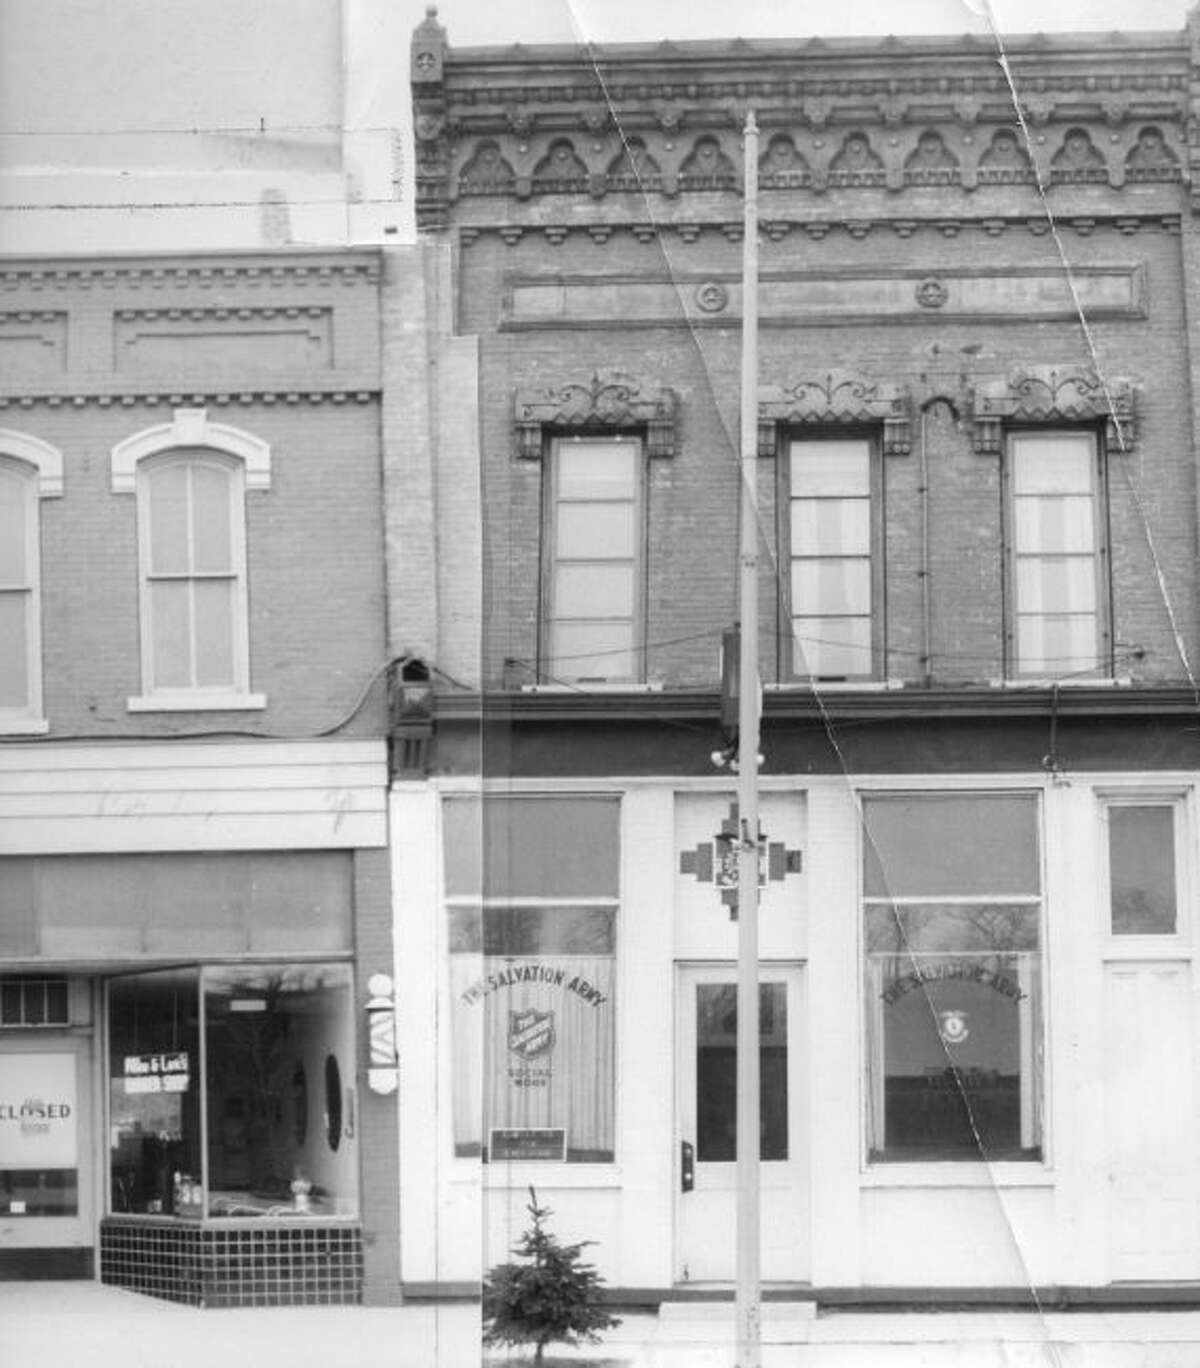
(1053, 395)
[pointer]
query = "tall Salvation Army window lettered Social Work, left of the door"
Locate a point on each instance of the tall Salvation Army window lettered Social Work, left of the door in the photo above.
(533, 934)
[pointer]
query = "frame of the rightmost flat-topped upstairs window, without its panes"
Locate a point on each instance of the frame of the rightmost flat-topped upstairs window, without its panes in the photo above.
(1017, 671)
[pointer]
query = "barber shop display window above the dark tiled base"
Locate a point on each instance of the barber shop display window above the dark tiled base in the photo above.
(229, 1092)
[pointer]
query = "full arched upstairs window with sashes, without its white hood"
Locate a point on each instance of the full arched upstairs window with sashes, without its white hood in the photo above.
(192, 533)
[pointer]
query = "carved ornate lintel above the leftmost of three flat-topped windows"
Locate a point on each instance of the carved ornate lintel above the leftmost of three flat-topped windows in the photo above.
(603, 404)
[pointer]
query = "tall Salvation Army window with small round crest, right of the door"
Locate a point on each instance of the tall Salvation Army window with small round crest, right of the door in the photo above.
(953, 964)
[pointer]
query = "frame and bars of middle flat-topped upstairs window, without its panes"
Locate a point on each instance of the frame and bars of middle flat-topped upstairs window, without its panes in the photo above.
(794, 555)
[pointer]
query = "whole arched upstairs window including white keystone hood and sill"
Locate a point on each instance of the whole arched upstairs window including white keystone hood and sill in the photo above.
(191, 479)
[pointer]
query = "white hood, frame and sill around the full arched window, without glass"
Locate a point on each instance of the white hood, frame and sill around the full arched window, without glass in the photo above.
(192, 437)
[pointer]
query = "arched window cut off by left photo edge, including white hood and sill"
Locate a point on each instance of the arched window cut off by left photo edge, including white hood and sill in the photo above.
(29, 471)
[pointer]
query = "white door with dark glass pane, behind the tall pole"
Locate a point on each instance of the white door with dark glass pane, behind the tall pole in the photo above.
(707, 1116)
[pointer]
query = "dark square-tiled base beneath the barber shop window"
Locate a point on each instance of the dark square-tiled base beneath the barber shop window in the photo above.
(235, 1266)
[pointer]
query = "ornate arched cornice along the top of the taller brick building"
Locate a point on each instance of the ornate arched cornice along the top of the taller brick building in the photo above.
(904, 117)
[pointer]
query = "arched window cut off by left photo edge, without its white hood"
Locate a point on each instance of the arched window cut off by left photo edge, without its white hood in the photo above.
(20, 594)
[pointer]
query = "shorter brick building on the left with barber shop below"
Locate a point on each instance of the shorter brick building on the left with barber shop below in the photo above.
(195, 890)
